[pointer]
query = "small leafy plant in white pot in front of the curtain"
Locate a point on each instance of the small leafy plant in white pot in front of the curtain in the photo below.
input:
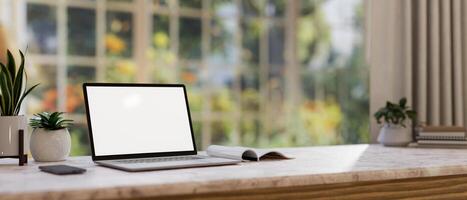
(393, 116)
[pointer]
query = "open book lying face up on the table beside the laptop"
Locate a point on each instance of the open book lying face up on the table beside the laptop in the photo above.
(243, 153)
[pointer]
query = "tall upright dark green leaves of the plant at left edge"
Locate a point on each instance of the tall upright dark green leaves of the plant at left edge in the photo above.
(11, 86)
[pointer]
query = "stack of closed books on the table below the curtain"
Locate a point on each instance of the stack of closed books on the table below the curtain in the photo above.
(441, 136)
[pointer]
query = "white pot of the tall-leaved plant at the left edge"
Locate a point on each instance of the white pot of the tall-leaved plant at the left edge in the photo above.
(9, 127)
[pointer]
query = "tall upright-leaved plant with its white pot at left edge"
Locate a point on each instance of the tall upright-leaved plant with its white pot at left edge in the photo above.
(13, 91)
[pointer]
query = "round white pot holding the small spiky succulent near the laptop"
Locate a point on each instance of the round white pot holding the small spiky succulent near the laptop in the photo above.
(50, 145)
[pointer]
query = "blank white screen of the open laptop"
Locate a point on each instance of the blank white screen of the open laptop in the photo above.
(134, 120)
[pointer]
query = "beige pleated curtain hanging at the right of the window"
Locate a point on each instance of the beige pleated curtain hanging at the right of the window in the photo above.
(418, 49)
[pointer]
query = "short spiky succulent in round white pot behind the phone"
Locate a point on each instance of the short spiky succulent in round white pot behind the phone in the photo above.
(50, 139)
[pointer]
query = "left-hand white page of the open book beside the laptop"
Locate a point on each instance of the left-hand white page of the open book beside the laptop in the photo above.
(236, 153)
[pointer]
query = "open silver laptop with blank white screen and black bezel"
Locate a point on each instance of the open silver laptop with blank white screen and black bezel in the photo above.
(139, 127)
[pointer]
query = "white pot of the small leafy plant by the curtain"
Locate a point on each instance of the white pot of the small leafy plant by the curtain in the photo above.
(394, 135)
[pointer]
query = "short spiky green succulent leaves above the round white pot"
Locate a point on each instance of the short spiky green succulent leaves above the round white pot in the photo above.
(50, 121)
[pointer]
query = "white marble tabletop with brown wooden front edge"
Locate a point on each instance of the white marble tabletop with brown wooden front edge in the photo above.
(313, 167)
